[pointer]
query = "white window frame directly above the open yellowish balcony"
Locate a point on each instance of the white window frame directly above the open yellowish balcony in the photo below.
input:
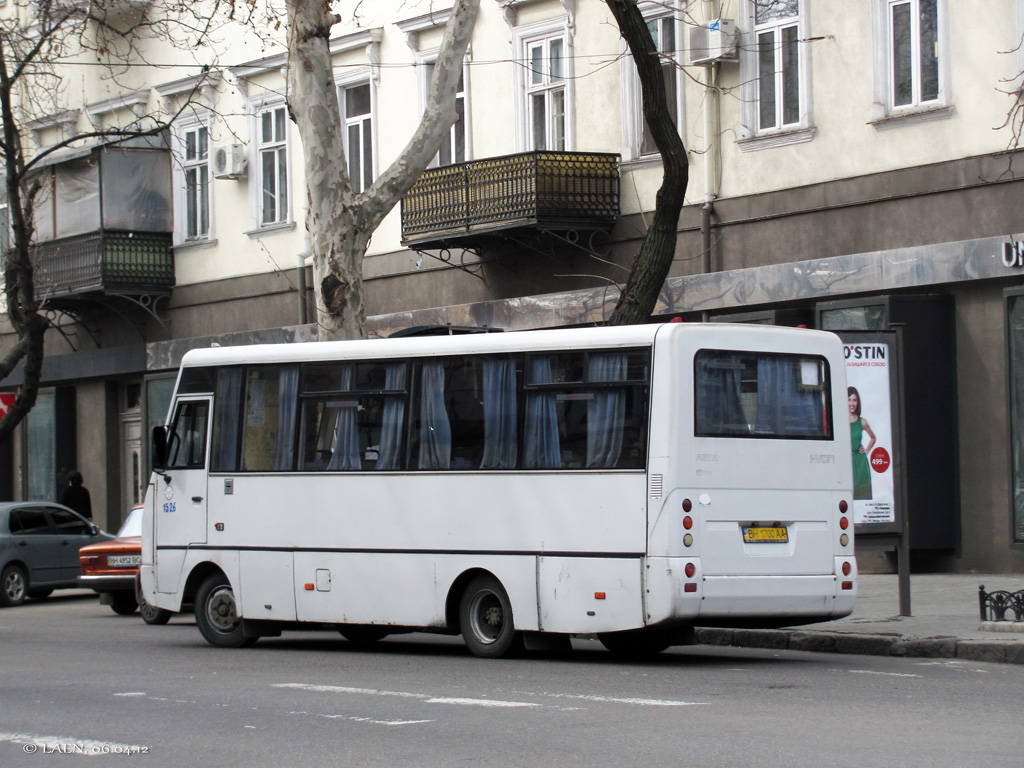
(525, 40)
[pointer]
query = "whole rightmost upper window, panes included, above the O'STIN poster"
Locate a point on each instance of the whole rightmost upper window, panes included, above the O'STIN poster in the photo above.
(911, 61)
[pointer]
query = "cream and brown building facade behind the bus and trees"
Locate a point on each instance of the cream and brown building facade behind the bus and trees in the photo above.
(854, 167)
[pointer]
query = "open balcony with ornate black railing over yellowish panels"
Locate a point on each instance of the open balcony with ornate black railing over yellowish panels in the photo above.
(464, 205)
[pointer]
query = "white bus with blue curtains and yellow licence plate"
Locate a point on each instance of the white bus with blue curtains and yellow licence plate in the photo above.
(516, 488)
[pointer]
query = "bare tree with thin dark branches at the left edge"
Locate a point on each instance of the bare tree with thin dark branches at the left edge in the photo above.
(37, 39)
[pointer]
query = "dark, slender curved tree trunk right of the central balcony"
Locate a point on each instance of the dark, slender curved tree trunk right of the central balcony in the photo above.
(652, 265)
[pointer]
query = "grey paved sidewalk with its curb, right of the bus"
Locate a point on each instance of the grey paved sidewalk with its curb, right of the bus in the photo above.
(946, 623)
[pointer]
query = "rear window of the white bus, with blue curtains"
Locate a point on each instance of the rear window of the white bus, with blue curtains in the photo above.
(761, 395)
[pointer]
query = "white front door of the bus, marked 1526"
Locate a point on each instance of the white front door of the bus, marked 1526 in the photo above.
(182, 491)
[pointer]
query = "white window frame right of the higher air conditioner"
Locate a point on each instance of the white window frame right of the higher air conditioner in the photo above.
(753, 137)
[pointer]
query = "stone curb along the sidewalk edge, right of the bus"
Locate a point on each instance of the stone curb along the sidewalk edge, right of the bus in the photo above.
(999, 652)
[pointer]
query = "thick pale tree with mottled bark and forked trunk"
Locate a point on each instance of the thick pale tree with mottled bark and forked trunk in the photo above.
(340, 223)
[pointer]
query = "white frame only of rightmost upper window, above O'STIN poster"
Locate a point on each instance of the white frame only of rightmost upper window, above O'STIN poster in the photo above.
(885, 113)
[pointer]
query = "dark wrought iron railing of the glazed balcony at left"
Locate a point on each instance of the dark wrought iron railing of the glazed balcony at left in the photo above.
(105, 263)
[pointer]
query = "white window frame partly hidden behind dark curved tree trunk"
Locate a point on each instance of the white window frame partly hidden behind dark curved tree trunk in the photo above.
(633, 123)
